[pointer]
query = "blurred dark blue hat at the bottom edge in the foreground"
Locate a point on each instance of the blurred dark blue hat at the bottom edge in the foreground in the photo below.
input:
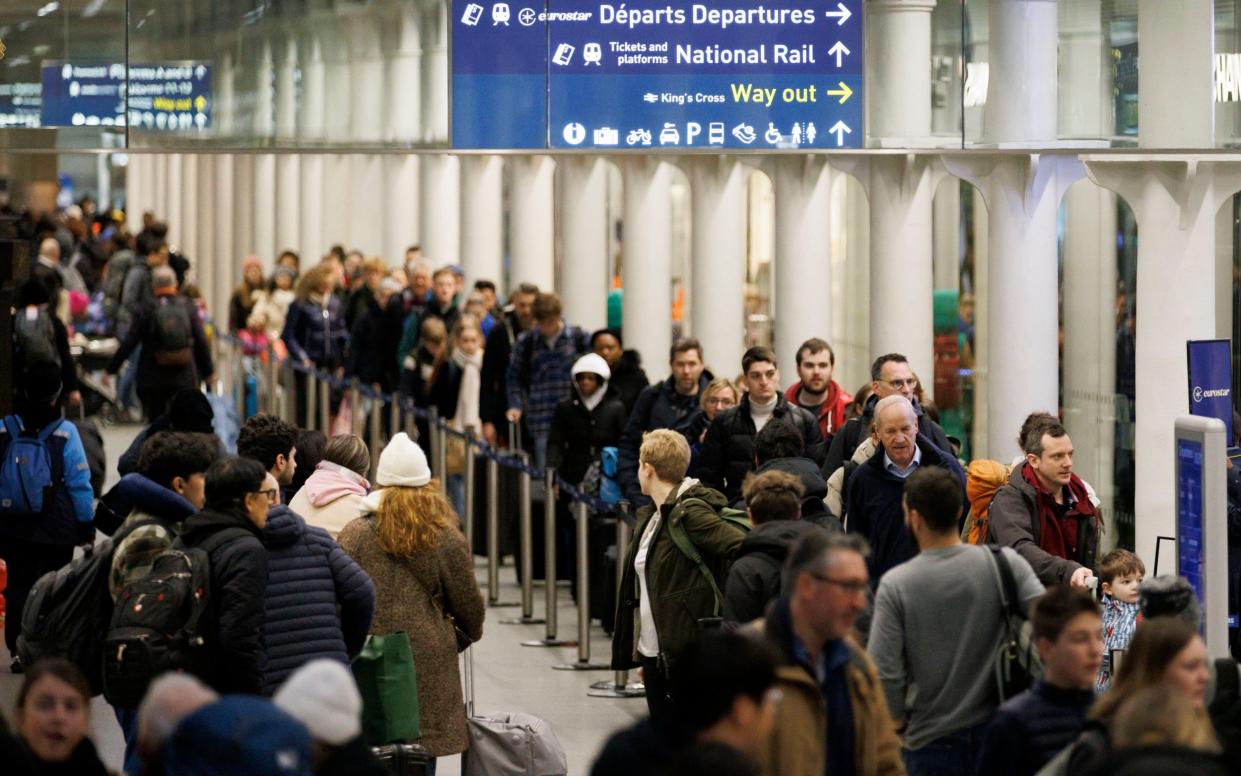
(239, 734)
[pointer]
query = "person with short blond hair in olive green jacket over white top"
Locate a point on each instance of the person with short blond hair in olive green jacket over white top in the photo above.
(665, 593)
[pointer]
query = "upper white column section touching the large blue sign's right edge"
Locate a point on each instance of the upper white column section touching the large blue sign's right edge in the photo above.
(899, 49)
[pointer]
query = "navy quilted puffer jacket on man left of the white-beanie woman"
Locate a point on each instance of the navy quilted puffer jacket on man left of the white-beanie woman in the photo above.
(320, 602)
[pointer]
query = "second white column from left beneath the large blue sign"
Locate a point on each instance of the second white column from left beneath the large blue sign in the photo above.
(532, 222)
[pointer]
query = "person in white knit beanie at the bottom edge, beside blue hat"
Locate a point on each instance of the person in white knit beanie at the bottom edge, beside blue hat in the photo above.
(325, 697)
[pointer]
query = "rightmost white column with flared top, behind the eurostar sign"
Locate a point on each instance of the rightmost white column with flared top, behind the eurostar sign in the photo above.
(1175, 202)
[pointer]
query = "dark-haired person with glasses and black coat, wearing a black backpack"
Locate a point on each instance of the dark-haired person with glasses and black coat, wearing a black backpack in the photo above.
(239, 494)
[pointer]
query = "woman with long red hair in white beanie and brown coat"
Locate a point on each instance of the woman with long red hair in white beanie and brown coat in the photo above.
(409, 542)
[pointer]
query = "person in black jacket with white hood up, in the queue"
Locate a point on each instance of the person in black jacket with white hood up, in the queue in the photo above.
(593, 418)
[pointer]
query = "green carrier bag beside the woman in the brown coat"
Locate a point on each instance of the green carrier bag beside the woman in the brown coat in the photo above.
(384, 671)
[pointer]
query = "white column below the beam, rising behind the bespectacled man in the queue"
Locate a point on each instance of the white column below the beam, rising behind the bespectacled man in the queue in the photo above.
(900, 191)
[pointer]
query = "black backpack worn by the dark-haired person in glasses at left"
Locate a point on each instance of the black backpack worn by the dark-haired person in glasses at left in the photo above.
(157, 621)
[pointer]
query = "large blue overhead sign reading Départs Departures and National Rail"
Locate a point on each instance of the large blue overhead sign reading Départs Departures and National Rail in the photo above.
(670, 76)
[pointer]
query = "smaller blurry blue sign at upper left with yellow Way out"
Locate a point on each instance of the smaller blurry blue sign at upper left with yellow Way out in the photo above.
(171, 97)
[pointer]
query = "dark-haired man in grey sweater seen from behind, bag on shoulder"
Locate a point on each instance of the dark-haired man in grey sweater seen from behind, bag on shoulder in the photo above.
(938, 628)
